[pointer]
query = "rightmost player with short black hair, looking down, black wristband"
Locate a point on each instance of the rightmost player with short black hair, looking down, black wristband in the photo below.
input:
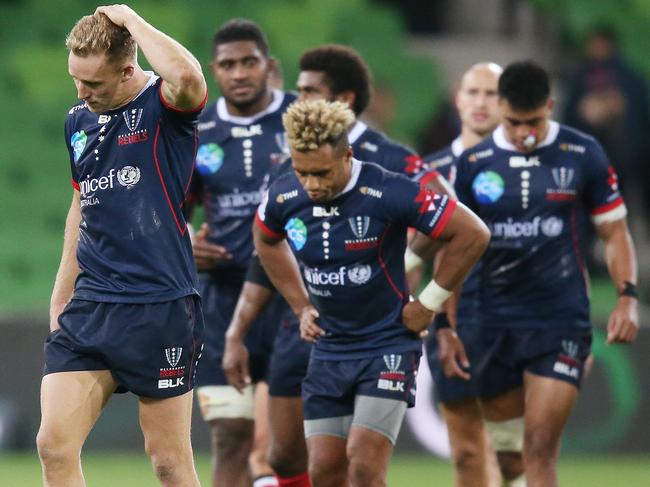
(533, 181)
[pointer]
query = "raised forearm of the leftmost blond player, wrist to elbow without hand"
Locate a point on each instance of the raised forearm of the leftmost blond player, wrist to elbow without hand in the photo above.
(173, 62)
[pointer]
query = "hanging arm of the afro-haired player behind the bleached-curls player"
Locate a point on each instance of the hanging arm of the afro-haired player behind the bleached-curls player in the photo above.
(252, 300)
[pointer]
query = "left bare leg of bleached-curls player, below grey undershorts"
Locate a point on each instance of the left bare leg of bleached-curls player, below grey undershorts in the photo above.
(328, 463)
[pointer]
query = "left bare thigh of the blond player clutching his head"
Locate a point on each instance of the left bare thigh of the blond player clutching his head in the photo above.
(71, 402)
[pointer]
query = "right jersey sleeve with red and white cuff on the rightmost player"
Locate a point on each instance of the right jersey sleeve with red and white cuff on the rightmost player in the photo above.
(601, 194)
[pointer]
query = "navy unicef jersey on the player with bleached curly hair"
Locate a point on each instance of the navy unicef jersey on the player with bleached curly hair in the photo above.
(351, 254)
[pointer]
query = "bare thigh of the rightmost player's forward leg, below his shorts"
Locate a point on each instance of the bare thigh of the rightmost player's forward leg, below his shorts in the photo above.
(549, 403)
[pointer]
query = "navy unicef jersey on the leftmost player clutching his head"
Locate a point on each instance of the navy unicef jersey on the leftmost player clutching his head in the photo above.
(132, 167)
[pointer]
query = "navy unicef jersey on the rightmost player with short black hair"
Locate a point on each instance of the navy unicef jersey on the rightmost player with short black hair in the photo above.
(532, 274)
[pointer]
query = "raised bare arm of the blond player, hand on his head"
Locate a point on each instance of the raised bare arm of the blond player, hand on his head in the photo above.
(184, 86)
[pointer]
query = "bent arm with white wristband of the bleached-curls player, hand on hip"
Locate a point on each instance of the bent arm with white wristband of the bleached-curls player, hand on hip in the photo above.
(466, 237)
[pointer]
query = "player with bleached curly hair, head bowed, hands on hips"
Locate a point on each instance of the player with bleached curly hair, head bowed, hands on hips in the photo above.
(346, 223)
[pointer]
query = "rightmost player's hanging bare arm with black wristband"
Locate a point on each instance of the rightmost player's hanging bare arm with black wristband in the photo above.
(620, 256)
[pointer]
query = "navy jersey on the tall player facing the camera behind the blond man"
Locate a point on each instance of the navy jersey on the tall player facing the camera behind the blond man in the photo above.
(236, 158)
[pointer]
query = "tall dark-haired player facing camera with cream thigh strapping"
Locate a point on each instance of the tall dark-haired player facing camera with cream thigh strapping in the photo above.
(241, 142)
